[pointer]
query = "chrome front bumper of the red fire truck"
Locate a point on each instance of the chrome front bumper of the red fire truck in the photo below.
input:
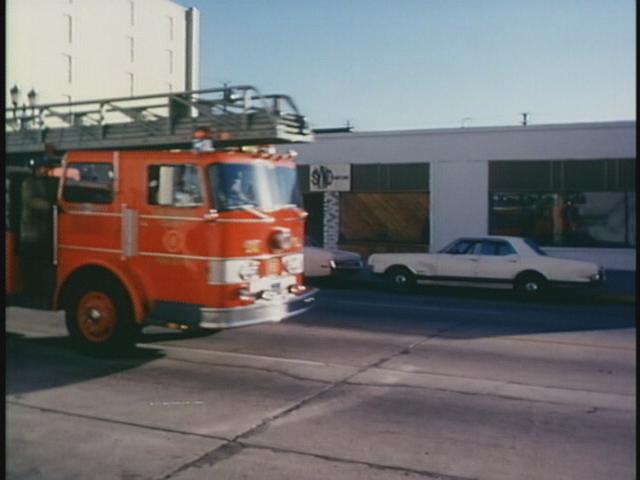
(263, 311)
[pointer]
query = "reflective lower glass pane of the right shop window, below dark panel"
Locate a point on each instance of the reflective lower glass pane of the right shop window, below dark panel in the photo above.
(577, 219)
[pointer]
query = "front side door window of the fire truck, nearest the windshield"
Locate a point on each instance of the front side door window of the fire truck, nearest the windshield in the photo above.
(174, 185)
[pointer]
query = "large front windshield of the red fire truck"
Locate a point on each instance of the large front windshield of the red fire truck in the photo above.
(259, 185)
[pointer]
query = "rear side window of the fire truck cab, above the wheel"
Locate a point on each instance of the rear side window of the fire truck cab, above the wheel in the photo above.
(90, 183)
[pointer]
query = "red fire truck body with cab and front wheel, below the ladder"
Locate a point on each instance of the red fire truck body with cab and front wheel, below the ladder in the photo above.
(184, 239)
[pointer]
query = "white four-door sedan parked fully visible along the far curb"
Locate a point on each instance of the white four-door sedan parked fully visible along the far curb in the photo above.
(493, 261)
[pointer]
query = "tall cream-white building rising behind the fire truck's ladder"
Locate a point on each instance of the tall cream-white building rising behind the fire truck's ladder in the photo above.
(72, 50)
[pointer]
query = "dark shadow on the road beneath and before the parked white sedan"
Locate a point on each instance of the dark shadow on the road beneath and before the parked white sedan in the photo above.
(454, 312)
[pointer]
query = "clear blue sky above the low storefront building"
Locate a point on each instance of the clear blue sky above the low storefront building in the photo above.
(411, 64)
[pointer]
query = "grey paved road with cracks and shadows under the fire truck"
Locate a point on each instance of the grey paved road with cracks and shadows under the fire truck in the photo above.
(368, 385)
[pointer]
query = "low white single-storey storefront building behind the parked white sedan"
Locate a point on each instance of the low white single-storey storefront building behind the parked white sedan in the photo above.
(570, 187)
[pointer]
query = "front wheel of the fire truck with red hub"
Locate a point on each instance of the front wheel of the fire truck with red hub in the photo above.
(99, 316)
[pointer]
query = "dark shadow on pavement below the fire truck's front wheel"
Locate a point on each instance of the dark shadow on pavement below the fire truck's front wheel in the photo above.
(34, 364)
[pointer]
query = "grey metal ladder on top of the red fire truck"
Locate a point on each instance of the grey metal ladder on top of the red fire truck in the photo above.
(234, 115)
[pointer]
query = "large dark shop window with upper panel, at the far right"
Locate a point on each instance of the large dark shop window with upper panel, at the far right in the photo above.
(577, 203)
